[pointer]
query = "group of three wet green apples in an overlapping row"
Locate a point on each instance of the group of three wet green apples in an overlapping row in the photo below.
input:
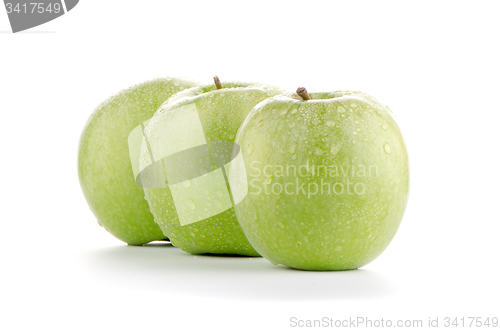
(312, 181)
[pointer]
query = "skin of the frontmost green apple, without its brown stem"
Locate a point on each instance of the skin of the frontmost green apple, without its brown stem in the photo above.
(329, 230)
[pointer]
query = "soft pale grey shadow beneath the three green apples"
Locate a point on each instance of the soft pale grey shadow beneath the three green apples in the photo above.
(163, 268)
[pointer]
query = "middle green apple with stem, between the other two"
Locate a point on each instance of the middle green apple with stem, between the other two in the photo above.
(190, 139)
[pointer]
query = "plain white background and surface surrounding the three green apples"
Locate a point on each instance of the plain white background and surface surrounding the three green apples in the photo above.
(436, 64)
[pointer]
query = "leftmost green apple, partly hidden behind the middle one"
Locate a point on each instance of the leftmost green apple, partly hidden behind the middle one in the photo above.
(104, 167)
